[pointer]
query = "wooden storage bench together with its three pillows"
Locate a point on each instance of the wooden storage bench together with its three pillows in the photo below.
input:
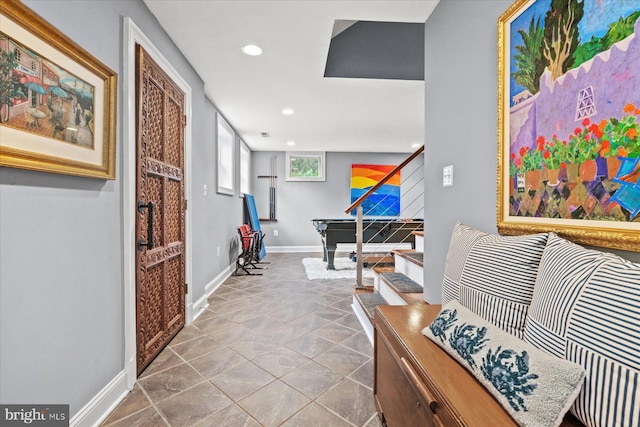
(531, 327)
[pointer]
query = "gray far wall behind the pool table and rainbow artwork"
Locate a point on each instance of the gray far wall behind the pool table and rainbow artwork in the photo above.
(298, 202)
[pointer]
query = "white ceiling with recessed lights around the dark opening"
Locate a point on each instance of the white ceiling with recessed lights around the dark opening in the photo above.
(331, 114)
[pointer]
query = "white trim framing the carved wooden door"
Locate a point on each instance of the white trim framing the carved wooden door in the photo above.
(133, 35)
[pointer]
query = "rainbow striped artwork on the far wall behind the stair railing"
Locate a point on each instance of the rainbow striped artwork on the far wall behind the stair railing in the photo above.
(385, 201)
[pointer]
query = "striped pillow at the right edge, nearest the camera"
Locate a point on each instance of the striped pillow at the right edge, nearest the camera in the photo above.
(585, 308)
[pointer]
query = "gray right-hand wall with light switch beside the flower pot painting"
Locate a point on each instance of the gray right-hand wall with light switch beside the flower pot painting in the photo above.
(460, 127)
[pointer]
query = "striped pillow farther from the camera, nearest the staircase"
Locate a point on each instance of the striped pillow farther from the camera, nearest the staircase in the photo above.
(493, 276)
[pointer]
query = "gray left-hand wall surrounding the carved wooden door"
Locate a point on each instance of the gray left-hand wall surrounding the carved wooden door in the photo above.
(61, 256)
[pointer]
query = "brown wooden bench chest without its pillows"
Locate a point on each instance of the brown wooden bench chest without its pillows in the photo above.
(416, 383)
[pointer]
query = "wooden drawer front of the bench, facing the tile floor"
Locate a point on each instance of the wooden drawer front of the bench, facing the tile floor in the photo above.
(400, 404)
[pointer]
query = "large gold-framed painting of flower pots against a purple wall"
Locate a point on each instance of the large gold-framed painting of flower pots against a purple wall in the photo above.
(568, 121)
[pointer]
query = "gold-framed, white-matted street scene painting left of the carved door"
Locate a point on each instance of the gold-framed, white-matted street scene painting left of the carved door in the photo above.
(58, 102)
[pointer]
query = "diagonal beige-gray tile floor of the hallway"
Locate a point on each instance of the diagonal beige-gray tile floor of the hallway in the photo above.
(271, 350)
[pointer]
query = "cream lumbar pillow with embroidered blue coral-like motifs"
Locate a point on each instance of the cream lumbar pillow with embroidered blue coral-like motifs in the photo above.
(534, 387)
